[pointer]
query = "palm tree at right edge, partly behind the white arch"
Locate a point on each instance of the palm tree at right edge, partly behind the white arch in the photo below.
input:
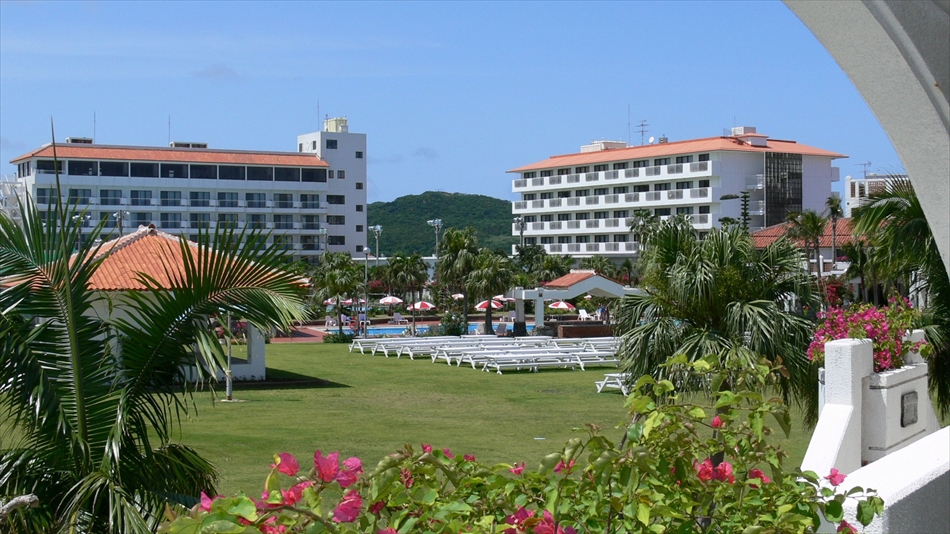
(902, 244)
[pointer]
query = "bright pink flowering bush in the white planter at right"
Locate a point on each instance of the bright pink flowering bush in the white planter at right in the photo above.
(885, 327)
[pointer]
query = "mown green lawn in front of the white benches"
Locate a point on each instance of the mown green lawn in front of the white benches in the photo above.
(370, 405)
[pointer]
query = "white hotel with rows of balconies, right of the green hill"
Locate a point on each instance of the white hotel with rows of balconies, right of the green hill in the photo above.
(582, 204)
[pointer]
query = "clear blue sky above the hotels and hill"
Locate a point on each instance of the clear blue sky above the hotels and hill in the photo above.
(450, 95)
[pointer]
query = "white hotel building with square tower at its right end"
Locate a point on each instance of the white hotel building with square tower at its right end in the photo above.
(310, 200)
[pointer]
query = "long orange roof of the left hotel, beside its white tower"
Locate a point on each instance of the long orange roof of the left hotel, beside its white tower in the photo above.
(183, 155)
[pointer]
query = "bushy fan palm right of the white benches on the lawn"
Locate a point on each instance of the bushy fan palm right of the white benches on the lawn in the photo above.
(718, 296)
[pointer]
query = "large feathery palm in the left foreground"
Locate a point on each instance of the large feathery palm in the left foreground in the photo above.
(95, 399)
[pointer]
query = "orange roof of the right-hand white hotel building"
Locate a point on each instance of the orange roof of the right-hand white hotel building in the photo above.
(709, 144)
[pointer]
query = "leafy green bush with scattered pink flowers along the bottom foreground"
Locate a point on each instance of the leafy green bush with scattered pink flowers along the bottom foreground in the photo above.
(666, 475)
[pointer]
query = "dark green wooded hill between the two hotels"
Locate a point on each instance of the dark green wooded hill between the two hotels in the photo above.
(405, 229)
